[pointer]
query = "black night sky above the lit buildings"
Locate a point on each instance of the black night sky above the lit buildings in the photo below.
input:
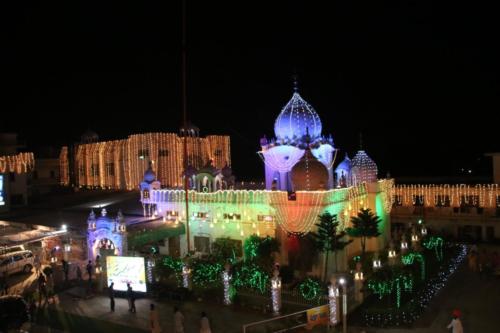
(419, 79)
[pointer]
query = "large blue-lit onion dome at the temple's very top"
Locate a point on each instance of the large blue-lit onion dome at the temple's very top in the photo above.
(295, 118)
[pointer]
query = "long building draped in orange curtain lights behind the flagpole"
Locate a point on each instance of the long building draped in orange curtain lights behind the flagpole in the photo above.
(120, 164)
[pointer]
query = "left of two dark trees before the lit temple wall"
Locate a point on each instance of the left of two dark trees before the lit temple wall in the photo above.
(328, 239)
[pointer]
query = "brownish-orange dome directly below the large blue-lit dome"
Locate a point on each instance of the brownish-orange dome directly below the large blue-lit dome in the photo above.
(309, 174)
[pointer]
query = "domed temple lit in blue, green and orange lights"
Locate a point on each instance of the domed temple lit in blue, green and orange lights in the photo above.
(299, 187)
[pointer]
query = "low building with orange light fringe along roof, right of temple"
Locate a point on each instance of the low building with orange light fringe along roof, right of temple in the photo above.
(468, 212)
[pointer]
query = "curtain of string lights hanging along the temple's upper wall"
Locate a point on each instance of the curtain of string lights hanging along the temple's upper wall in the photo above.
(294, 216)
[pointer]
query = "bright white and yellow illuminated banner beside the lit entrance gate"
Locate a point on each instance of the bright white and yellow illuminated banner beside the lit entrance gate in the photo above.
(123, 270)
